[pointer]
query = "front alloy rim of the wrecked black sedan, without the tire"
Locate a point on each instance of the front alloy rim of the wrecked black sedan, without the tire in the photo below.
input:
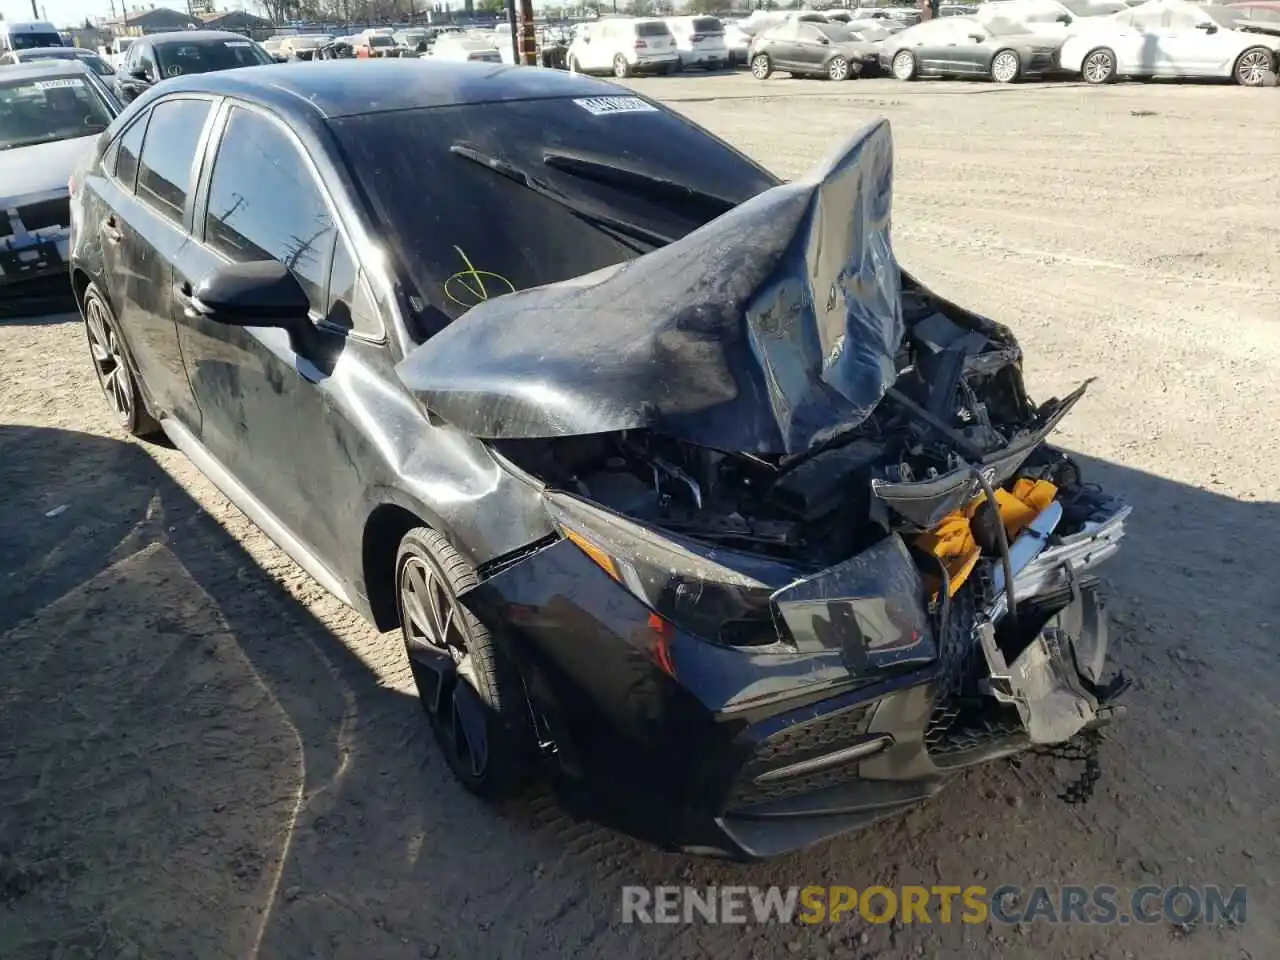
(436, 641)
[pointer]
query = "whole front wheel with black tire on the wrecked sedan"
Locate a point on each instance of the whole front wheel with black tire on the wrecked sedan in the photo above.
(495, 685)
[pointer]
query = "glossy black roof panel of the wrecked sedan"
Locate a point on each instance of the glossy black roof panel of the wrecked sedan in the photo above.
(351, 88)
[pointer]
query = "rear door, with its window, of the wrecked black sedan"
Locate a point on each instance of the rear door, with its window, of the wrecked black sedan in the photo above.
(148, 203)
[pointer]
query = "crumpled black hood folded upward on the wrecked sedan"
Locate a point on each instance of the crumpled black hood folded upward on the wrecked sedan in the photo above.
(765, 331)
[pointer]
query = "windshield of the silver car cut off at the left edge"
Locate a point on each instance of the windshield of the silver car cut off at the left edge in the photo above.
(40, 112)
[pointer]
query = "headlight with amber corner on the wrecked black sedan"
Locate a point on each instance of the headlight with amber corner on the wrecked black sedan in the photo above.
(717, 595)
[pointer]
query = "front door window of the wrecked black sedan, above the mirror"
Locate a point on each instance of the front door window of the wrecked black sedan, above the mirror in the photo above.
(264, 204)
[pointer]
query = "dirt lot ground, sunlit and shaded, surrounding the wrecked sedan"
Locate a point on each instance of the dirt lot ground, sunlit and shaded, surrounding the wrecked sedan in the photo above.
(204, 756)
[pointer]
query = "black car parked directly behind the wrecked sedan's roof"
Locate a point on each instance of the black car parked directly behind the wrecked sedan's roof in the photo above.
(159, 57)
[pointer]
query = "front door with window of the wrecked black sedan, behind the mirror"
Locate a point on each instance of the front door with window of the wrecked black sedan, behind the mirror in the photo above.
(276, 405)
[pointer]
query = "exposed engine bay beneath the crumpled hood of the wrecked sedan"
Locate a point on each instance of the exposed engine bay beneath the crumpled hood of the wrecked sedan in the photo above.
(959, 404)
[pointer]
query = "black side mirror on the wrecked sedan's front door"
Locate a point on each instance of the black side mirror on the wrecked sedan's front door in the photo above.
(262, 294)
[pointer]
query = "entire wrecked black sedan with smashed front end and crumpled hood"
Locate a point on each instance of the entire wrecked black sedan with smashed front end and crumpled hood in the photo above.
(674, 482)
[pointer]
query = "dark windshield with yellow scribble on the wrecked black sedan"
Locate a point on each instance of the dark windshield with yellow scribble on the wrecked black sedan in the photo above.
(483, 227)
